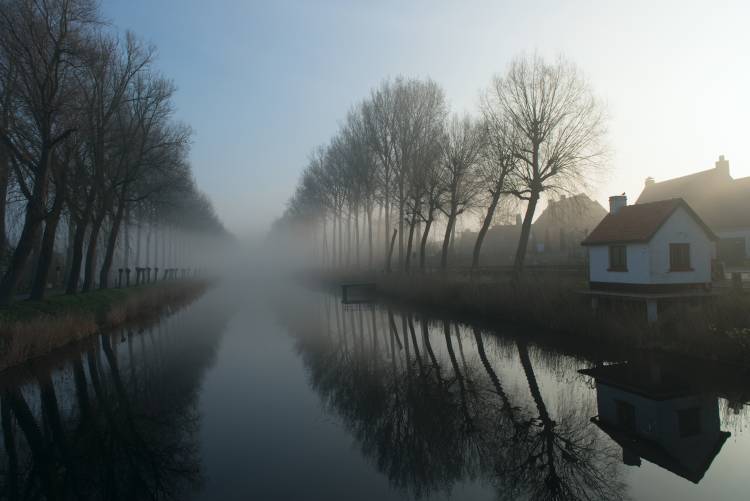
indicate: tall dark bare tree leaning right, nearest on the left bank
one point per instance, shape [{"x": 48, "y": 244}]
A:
[{"x": 42, "y": 39}]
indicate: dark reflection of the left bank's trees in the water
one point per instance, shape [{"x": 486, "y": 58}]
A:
[{"x": 118, "y": 421}]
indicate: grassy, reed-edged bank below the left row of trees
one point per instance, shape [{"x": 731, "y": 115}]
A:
[{"x": 30, "y": 329}]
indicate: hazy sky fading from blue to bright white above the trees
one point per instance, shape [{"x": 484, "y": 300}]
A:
[{"x": 263, "y": 83}]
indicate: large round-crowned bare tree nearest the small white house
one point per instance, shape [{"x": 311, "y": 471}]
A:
[{"x": 558, "y": 127}]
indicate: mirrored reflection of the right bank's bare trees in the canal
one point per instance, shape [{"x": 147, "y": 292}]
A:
[{"x": 448, "y": 406}]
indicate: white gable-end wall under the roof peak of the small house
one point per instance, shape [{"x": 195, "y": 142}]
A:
[{"x": 681, "y": 228}]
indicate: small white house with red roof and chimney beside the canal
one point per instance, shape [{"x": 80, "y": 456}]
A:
[{"x": 660, "y": 246}]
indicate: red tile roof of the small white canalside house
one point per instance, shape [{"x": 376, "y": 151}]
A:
[{"x": 638, "y": 223}]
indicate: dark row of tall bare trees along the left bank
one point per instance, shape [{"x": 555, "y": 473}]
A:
[{"x": 89, "y": 147}]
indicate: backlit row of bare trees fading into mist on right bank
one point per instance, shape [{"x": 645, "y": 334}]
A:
[{"x": 401, "y": 163}]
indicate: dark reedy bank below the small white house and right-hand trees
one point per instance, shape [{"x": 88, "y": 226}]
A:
[{"x": 717, "y": 329}]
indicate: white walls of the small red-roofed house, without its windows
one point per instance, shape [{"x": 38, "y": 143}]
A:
[{"x": 649, "y": 263}]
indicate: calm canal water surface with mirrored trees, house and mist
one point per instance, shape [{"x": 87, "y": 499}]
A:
[{"x": 288, "y": 394}]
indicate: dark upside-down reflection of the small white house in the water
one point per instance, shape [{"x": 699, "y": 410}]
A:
[{"x": 654, "y": 413}]
